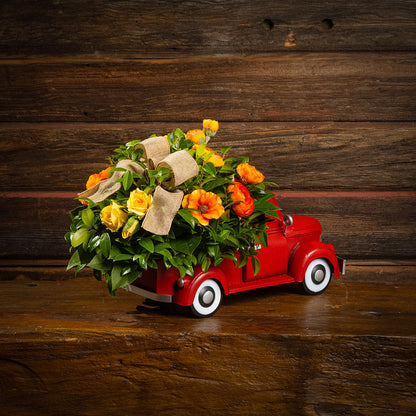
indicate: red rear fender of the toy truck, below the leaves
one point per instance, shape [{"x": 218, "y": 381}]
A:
[{"x": 185, "y": 296}]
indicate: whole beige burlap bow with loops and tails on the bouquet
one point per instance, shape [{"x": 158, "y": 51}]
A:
[{"x": 166, "y": 203}]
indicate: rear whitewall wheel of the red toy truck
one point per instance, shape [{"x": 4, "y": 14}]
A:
[{"x": 207, "y": 299}]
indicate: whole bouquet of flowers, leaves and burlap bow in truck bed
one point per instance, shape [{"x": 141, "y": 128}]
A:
[{"x": 169, "y": 199}]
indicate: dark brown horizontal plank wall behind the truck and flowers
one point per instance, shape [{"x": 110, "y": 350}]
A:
[{"x": 320, "y": 95}]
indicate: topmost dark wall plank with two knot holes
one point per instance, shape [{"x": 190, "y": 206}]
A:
[{"x": 103, "y": 29}]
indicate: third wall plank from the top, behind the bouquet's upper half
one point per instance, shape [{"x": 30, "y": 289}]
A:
[{"x": 297, "y": 156}]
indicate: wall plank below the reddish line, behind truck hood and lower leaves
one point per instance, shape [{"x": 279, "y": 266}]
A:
[{"x": 358, "y": 227}]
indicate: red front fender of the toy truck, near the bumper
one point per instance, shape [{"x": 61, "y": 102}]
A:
[{"x": 308, "y": 251}]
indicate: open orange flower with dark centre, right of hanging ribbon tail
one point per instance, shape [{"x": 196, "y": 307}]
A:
[{"x": 208, "y": 204}]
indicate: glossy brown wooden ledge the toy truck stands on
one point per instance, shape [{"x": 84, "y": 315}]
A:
[{"x": 69, "y": 345}]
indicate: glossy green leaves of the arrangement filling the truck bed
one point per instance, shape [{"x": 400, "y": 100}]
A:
[{"x": 120, "y": 260}]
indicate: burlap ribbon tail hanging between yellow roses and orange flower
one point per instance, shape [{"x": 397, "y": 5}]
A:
[{"x": 159, "y": 217}]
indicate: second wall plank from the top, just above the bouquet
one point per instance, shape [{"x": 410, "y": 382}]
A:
[{"x": 285, "y": 87}]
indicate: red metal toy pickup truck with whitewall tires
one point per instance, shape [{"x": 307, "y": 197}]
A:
[{"x": 294, "y": 253}]
